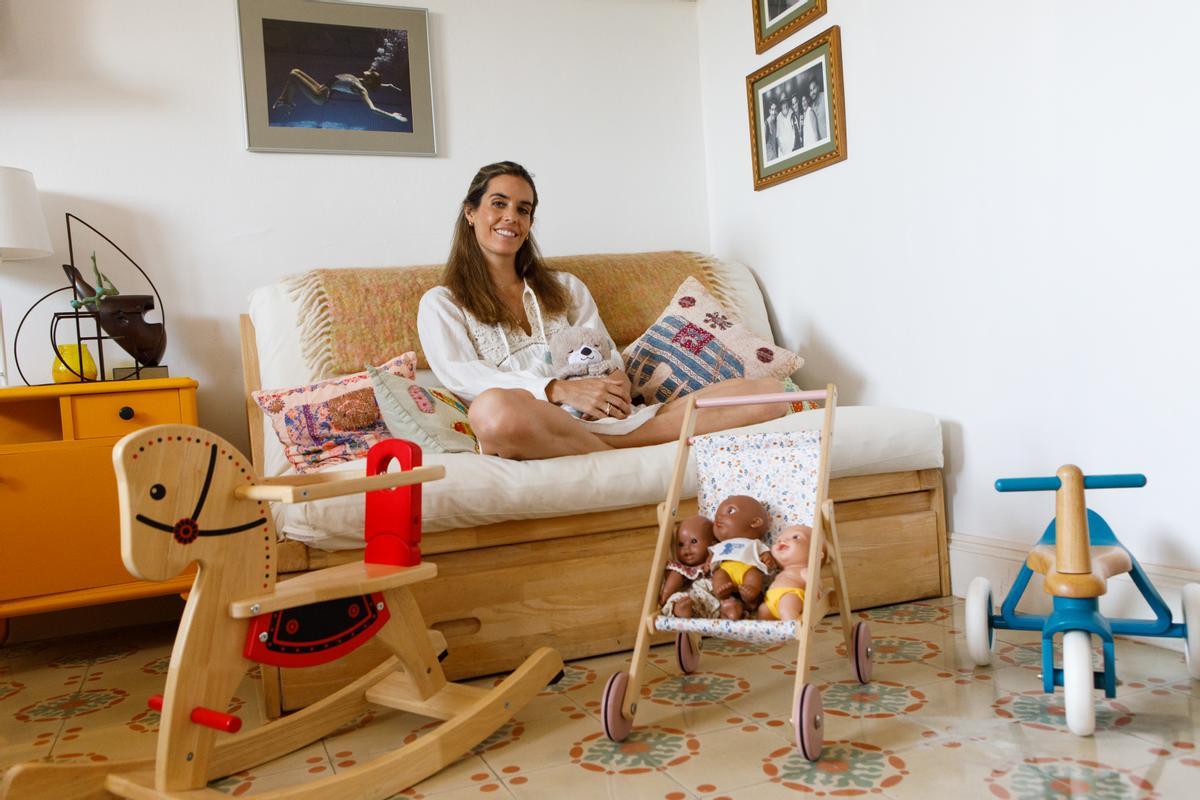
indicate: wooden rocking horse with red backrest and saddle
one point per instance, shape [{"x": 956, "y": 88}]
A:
[{"x": 188, "y": 496}]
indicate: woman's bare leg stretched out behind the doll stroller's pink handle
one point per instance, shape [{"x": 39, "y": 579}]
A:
[{"x": 665, "y": 425}]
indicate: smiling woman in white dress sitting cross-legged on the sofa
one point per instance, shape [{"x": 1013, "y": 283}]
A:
[{"x": 485, "y": 335}]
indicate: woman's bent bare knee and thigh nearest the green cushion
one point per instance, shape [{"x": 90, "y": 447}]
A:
[{"x": 514, "y": 424}]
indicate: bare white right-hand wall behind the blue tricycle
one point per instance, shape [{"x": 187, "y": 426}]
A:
[{"x": 1011, "y": 244}]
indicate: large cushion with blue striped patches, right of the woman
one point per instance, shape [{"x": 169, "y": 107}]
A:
[{"x": 697, "y": 344}]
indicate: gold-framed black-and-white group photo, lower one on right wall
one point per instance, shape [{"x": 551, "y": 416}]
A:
[{"x": 797, "y": 112}]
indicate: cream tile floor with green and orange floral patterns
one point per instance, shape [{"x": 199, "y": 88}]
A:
[{"x": 929, "y": 725}]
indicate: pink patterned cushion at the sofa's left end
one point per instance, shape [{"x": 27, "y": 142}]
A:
[{"x": 331, "y": 422}]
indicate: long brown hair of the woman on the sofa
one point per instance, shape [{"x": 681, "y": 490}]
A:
[{"x": 467, "y": 275}]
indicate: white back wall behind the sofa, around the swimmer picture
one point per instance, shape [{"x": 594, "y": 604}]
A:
[{"x": 130, "y": 115}]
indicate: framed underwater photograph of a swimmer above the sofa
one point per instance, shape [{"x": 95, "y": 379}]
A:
[{"x": 337, "y": 77}]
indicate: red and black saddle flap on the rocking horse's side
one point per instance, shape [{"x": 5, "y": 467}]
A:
[{"x": 316, "y": 634}]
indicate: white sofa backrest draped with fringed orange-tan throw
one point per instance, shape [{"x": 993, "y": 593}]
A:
[{"x": 283, "y": 316}]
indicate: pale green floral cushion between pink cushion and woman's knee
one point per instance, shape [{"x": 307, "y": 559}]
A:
[{"x": 429, "y": 416}]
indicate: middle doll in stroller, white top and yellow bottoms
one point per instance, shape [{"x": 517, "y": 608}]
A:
[{"x": 740, "y": 561}]
